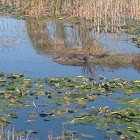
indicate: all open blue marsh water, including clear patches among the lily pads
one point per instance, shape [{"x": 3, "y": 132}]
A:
[{"x": 27, "y": 46}]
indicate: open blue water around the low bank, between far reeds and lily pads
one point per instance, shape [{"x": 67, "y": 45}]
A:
[{"x": 25, "y": 46}]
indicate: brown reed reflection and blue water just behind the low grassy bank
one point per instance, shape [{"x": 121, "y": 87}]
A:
[{"x": 60, "y": 34}]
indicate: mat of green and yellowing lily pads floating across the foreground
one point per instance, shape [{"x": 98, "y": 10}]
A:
[{"x": 68, "y": 98}]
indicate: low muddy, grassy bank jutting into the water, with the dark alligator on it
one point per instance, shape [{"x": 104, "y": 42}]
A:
[{"x": 114, "y": 61}]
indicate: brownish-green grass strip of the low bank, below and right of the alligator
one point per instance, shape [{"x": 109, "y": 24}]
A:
[{"x": 114, "y": 61}]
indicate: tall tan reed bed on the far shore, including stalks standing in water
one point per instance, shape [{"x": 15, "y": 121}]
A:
[{"x": 111, "y": 15}]
